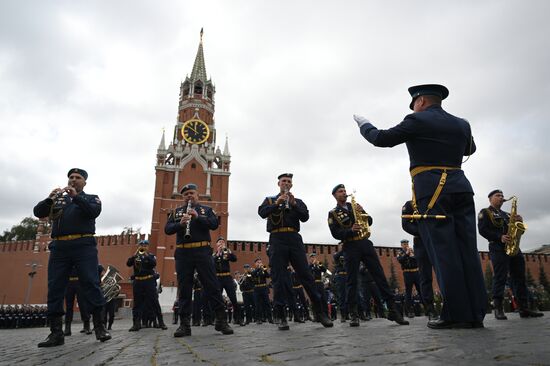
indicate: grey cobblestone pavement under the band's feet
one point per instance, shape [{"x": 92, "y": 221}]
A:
[{"x": 378, "y": 342}]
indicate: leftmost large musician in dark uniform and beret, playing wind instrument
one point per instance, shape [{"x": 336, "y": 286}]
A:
[{"x": 72, "y": 214}]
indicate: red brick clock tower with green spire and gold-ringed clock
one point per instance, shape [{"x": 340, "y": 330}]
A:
[{"x": 191, "y": 157}]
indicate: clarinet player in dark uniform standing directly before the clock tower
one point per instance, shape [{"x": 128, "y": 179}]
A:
[{"x": 192, "y": 224}]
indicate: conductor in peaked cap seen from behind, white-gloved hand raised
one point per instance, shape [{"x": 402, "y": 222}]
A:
[{"x": 436, "y": 142}]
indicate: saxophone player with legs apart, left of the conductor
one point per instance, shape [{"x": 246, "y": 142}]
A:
[{"x": 343, "y": 226}]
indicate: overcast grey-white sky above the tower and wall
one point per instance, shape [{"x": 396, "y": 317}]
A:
[{"x": 91, "y": 84}]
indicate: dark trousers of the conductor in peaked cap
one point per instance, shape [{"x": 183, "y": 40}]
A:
[{"x": 451, "y": 245}]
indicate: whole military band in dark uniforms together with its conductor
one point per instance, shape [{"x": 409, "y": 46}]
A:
[{"x": 440, "y": 216}]
